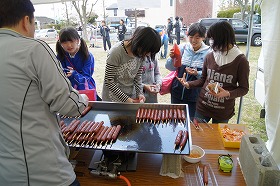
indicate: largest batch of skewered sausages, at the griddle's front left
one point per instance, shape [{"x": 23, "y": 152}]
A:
[{"x": 89, "y": 133}]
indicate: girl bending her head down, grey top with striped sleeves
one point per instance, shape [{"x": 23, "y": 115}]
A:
[{"x": 124, "y": 66}]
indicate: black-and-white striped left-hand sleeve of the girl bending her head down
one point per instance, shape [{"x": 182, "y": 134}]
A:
[{"x": 109, "y": 81}]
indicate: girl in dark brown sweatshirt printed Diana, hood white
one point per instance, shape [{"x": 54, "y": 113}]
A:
[{"x": 224, "y": 76}]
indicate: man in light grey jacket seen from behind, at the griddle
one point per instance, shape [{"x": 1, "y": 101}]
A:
[{"x": 34, "y": 89}]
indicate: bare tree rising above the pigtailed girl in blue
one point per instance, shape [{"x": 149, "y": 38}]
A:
[{"x": 83, "y": 14}]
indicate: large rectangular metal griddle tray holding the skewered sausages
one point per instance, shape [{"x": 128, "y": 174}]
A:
[{"x": 143, "y": 137}]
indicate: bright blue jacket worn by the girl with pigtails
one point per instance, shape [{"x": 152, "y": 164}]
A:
[{"x": 81, "y": 78}]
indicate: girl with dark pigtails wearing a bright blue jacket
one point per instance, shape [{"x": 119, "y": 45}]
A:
[{"x": 76, "y": 60}]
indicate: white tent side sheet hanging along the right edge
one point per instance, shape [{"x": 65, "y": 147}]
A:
[{"x": 271, "y": 55}]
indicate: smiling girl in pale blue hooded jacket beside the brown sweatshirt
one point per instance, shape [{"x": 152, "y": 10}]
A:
[{"x": 193, "y": 55}]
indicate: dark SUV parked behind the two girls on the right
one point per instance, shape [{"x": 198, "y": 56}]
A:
[{"x": 240, "y": 28}]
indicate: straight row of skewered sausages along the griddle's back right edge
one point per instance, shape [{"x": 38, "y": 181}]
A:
[{"x": 160, "y": 115}]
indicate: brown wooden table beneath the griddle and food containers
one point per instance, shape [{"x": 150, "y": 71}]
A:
[{"x": 148, "y": 168}]
